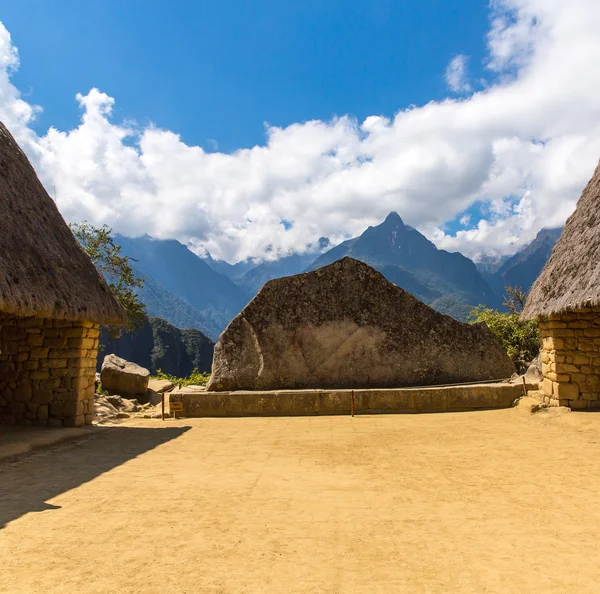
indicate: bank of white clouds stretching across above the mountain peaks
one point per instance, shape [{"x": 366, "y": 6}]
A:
[{"x": 524, "y": 147}]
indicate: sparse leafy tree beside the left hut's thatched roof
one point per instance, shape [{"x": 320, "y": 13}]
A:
[{"x": 116, "y": 269}]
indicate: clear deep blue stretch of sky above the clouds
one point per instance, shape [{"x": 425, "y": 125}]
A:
[{"x": 219, "y": 70}]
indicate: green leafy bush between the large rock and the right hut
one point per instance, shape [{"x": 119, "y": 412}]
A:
[{"x": 520, "y": 339}]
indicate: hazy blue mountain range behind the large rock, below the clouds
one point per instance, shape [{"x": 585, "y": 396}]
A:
[{"x": 203, "y": 293}]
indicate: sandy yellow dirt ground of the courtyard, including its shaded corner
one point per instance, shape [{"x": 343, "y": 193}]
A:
[{"x": 496, "y": 501}]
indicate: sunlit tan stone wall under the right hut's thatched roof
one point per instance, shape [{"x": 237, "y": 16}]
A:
[{"x": 571, "y": 359}]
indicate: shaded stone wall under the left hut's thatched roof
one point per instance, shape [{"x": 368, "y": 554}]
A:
[{"x": 47, "y": 371}]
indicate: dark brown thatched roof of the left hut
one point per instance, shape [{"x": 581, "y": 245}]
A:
[{"x": 43, "y": 270}]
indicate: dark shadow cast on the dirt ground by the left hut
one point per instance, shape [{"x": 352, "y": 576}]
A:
[{"x": 63, "y": 467}]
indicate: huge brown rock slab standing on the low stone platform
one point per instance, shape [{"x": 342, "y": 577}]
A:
[{"x": 346, "y": 326}]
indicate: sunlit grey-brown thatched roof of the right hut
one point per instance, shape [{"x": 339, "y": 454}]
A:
[{"x": 571, "y": 278}]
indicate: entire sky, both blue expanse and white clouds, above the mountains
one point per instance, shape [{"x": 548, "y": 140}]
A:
[{"x": 478, "y": 122}]
